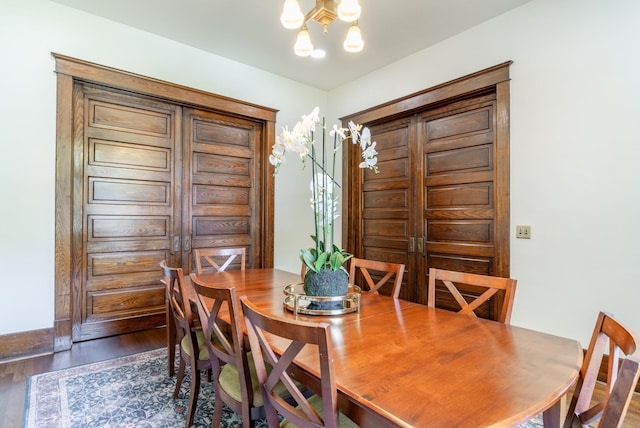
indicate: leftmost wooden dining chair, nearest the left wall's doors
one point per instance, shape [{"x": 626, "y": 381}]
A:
[{"x": 193, "y": 353}]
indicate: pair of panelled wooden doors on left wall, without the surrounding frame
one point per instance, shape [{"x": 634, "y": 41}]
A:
[{"x": 154, "y": 180}]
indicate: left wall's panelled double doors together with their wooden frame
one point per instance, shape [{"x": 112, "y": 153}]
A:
[{"x": 145, "y": 170}]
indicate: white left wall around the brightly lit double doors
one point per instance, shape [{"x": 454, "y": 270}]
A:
[{"x": 29, "y": 31}]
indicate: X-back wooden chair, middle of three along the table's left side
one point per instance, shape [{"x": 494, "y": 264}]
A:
[{"x": 234, "y": 374}]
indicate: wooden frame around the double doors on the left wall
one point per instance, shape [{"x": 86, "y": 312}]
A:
[{"x": 71, "y": 70}]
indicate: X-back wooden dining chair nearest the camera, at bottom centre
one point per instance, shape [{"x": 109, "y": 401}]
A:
[{"x": 299, "y": 409}]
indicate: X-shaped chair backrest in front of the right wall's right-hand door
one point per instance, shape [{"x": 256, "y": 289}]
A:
[{"x": 488, "y": 286}]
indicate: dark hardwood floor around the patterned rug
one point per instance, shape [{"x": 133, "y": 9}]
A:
[{"x": 14, "y": 374}]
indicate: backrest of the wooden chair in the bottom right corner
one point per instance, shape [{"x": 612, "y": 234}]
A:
[{"x": 621, "y": 377}]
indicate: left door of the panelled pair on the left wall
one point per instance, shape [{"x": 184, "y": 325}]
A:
[{"x": 126, "y": 210}]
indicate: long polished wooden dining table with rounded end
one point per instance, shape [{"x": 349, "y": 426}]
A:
[{"x": 401, "y": 363}]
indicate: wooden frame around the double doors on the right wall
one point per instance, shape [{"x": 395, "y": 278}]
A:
[{"x": 494, "y": 78}]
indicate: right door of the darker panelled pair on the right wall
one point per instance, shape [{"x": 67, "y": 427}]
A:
[{"x": 460, "y": 193}]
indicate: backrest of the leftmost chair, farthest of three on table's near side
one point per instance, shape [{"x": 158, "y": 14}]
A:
[{"x": 178, "y": 298}]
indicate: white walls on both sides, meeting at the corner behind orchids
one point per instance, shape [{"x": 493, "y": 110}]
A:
[{"x": 574, "y": 95}]
